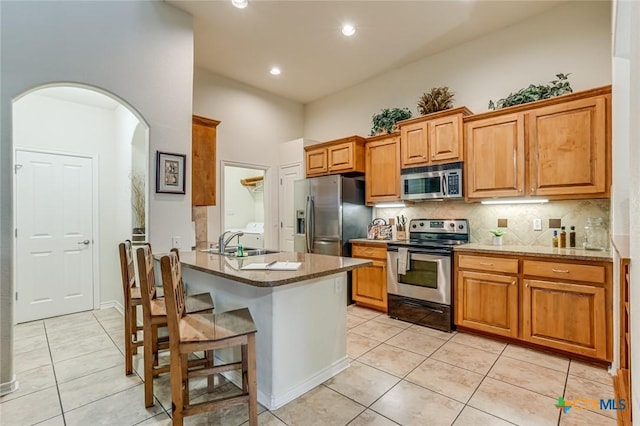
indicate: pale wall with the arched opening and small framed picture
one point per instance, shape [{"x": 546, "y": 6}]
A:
[{"x": 140, "y": 51}]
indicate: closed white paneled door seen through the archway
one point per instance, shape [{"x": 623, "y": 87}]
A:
[{"x": 54, "y": 243}]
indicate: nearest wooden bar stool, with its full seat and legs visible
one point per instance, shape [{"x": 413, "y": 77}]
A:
[{"x": 197, "y": 332}]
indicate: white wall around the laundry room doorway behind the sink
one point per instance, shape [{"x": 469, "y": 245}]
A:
[{"x": 252, "y": 124}]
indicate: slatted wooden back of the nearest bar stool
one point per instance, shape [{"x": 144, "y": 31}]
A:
[{"x": 173, "y": 293}]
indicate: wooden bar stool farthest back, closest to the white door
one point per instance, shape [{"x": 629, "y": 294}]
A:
[{"x": 131, "y": 300}]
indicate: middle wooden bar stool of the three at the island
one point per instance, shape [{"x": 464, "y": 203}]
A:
[{"x": 154, "y": 315}]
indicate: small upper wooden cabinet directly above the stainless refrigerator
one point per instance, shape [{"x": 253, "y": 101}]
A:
[{"x": 341, "y": 156}]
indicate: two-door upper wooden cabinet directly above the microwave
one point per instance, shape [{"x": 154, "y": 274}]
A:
[{"x": 433, "y": 138}]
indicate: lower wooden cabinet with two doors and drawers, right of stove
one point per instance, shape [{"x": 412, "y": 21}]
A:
[{"x": 563, "y": 305}]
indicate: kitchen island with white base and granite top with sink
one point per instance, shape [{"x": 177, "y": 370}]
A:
[{"x": 300, "y": 315}]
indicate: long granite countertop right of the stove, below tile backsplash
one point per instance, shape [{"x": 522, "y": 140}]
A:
[{"x": 539, "y": 251}]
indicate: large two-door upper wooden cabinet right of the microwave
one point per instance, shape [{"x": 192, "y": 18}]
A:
[{"x": 558, "y": 148}]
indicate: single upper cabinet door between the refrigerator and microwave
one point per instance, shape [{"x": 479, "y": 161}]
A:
[{"x": 382, "y": 170}]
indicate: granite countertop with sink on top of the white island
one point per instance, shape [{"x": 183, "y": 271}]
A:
[{"x": 313, "y": 266}]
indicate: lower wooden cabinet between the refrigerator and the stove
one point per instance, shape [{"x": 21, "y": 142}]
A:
[{"x": 369, "y": 284}]
